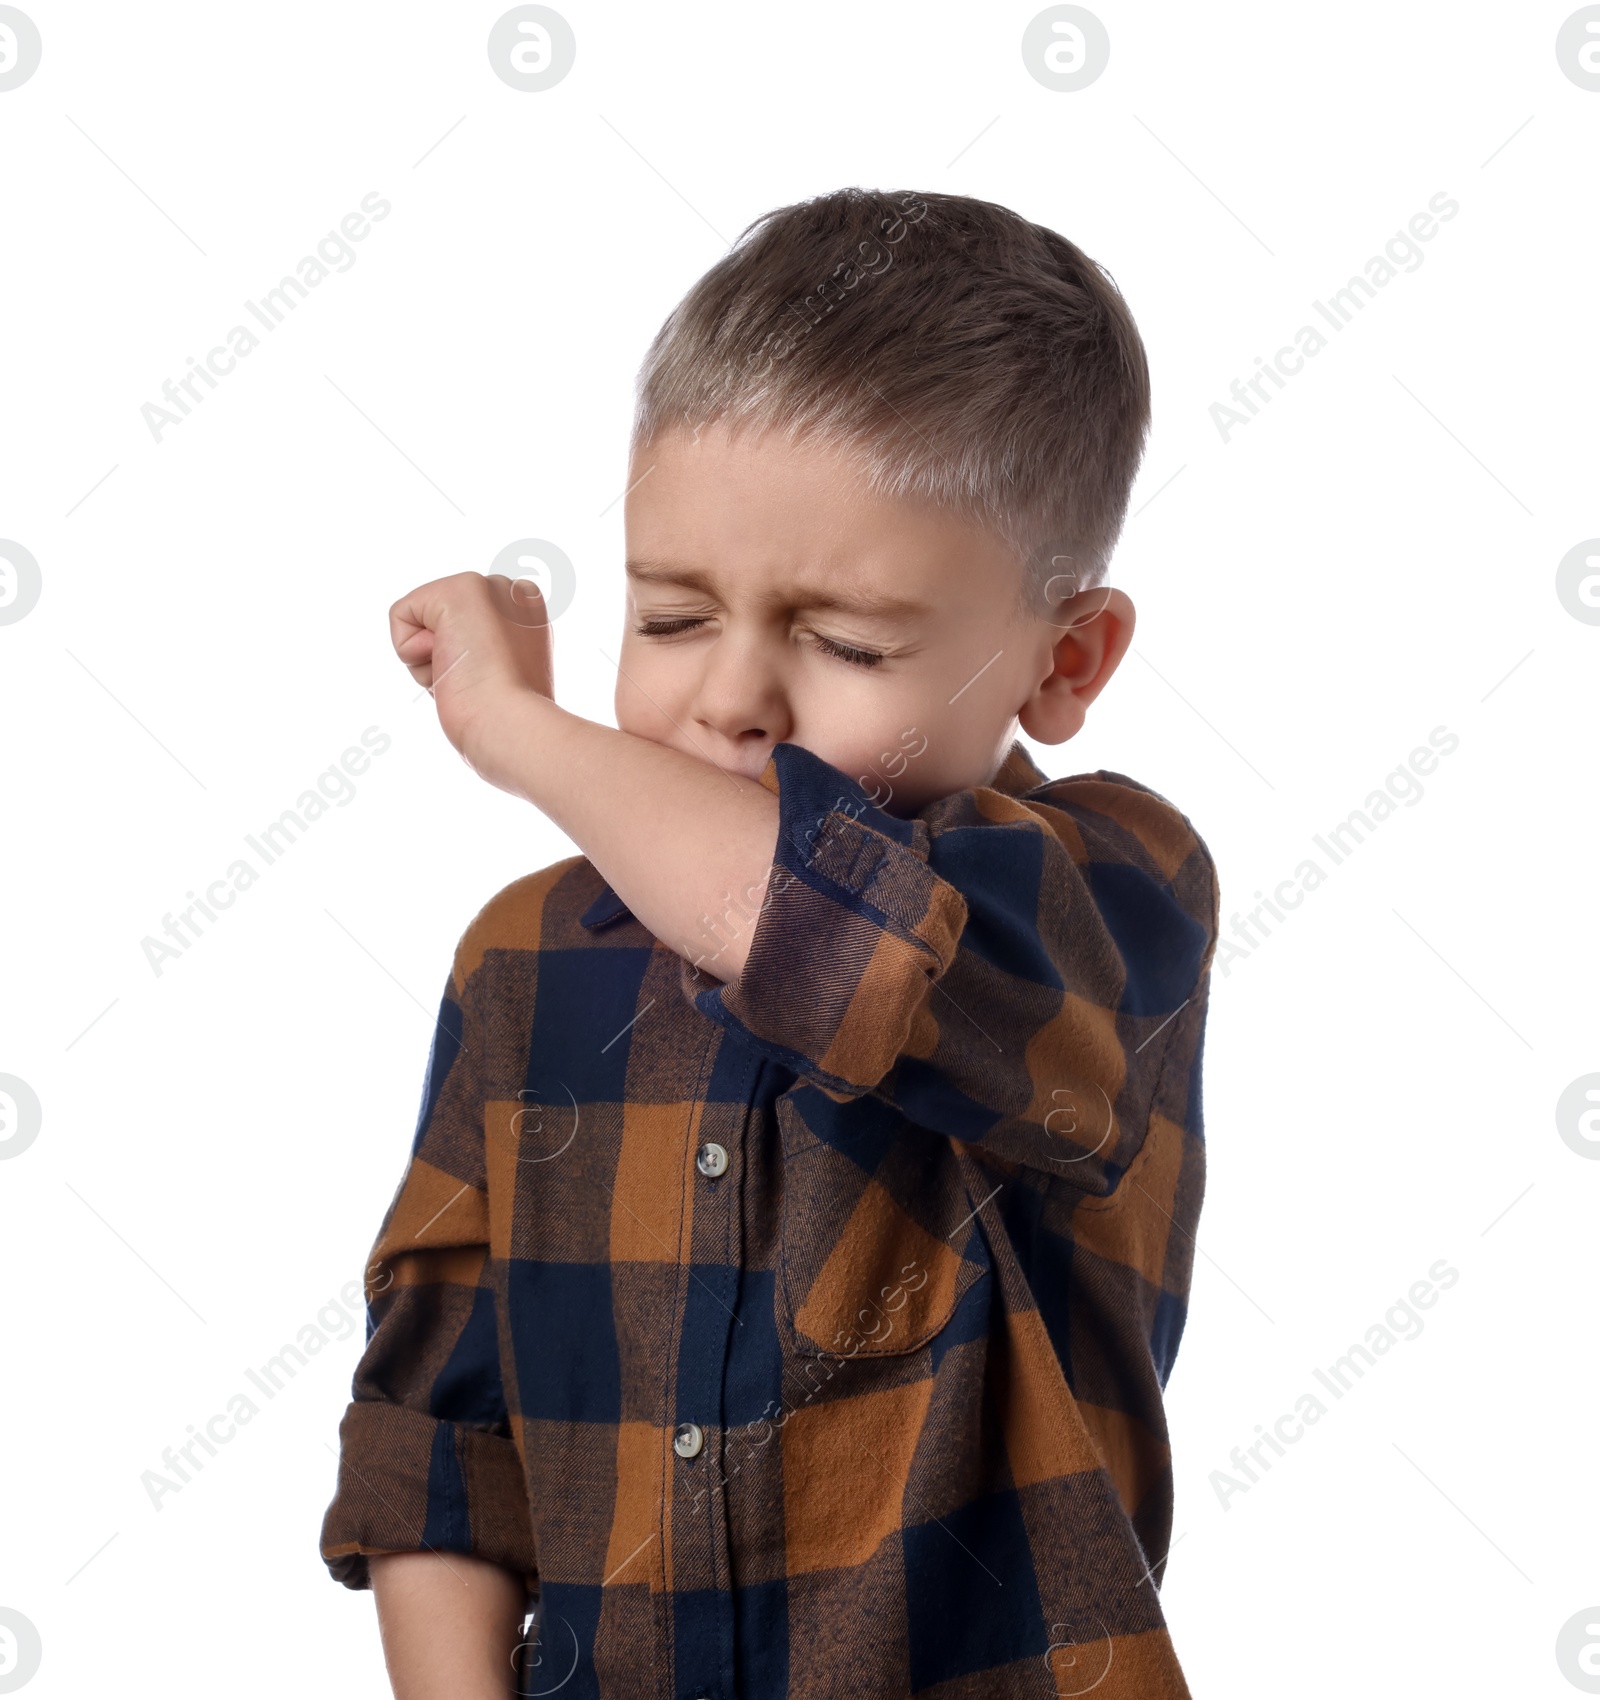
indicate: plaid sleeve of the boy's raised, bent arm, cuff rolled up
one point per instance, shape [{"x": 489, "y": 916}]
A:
[{"x": 1006, "y": 970}]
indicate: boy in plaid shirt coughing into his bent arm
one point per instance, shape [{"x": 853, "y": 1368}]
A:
[{"x": 800, "y": 1221}]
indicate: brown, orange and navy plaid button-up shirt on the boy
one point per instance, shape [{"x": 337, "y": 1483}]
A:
[{"x": 809, "y": 1335}]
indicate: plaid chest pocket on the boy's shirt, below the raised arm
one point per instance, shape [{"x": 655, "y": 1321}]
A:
[{"x": 880, "y": 1235}]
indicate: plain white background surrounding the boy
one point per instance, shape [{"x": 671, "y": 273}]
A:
[{"x": 1370, "y": 558}]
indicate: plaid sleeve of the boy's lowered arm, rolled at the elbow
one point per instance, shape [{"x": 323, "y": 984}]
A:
[{"x": 428, "y": 1461}]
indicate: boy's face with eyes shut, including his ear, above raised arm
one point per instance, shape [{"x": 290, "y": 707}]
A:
[{"x": 771, "y": 599}]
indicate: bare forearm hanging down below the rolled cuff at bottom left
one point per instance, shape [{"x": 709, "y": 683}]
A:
[{"x": 450, "y": 1624}]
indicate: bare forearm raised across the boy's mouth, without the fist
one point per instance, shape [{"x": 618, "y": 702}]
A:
[{"x": 686, "y": 846}]
